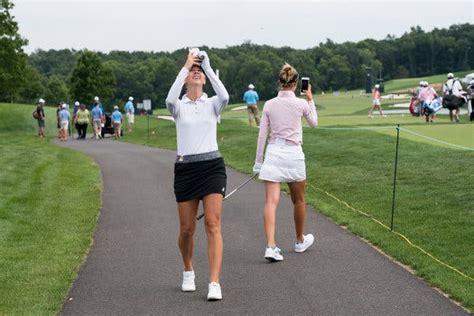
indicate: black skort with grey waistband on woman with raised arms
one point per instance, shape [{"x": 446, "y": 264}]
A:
[{"x": 195, "y": 180}]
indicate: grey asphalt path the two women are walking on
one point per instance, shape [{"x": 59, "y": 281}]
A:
[{"x": 134, "y": 266}]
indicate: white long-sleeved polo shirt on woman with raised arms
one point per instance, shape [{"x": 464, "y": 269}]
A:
[{"x": 196, "y": 121}]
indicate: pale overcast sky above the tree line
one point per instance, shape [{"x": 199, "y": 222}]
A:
[{"x": 158, "y": 25}]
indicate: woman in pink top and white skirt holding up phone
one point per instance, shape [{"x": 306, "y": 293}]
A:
[{"x": 284, "y": 158}]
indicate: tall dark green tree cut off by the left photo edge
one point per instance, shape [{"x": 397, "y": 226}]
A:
[{"x": 12, "y": 57}]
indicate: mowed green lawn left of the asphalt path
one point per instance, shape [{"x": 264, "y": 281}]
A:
[{"x": 49, "y": 205}]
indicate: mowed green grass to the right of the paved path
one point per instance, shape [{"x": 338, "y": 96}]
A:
[{"x": 434, "y": 201}]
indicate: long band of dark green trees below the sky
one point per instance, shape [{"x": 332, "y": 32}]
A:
[{"x": 68, "y": 75}]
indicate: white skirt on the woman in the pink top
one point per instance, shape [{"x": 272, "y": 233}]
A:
[{"x": 283, "y": 163}]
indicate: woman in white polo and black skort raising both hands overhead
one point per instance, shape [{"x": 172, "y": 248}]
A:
[{"x": 199, "y": 168}]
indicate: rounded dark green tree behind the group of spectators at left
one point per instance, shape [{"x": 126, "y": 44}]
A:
[{"x": 91, "y": 77}]
